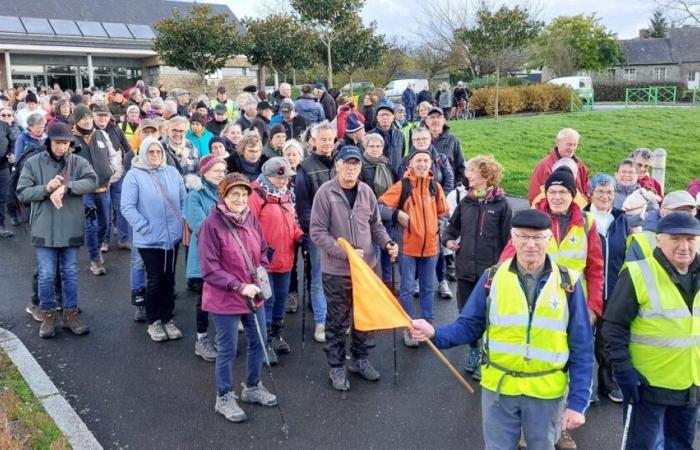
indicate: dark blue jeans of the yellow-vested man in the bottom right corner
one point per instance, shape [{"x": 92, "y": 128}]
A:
[{"x": 656, "y": 426}]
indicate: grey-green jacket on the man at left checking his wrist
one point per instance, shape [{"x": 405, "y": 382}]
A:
[{"x": 53, "y": 227}]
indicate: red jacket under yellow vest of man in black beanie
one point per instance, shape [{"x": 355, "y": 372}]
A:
[{"x": 594, "y": 258}]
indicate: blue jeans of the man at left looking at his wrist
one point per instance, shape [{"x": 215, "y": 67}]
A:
[{"x": 67, "y": 260}]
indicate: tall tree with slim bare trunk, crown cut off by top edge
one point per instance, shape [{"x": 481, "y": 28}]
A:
[{"x": 329, "y": 18}]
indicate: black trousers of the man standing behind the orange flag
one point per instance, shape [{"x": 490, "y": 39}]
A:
[{"x": 338, "y": 291}]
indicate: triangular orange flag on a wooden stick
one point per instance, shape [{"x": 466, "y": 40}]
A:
[{"x": 374, "y": 306}]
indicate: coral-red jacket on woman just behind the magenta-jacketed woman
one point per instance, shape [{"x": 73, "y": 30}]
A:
[{"x": 280, "y": 229}]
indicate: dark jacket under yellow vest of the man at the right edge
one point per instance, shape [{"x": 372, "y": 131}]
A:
[{"x": 621, "y": 309}]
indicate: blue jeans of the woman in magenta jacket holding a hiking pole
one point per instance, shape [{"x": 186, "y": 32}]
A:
[{"x": 227, "y": 346}]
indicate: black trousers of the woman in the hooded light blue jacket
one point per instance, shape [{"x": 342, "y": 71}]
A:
[{"x": 160, "y": 283}]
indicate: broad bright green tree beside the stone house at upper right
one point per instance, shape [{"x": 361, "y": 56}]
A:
[{"x": 592, "y": 46}]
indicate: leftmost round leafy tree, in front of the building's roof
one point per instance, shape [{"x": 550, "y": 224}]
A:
[{"x": 198, "y": 42}]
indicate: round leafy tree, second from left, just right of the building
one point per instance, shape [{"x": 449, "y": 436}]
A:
[{"x": 279, "y": 42}]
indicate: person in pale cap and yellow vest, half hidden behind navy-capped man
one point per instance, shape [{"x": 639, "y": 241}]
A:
[{"x": 641, "y": 245}]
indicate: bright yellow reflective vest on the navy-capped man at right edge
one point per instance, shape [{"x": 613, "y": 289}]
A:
[{"x": 665, "y": 335}]
